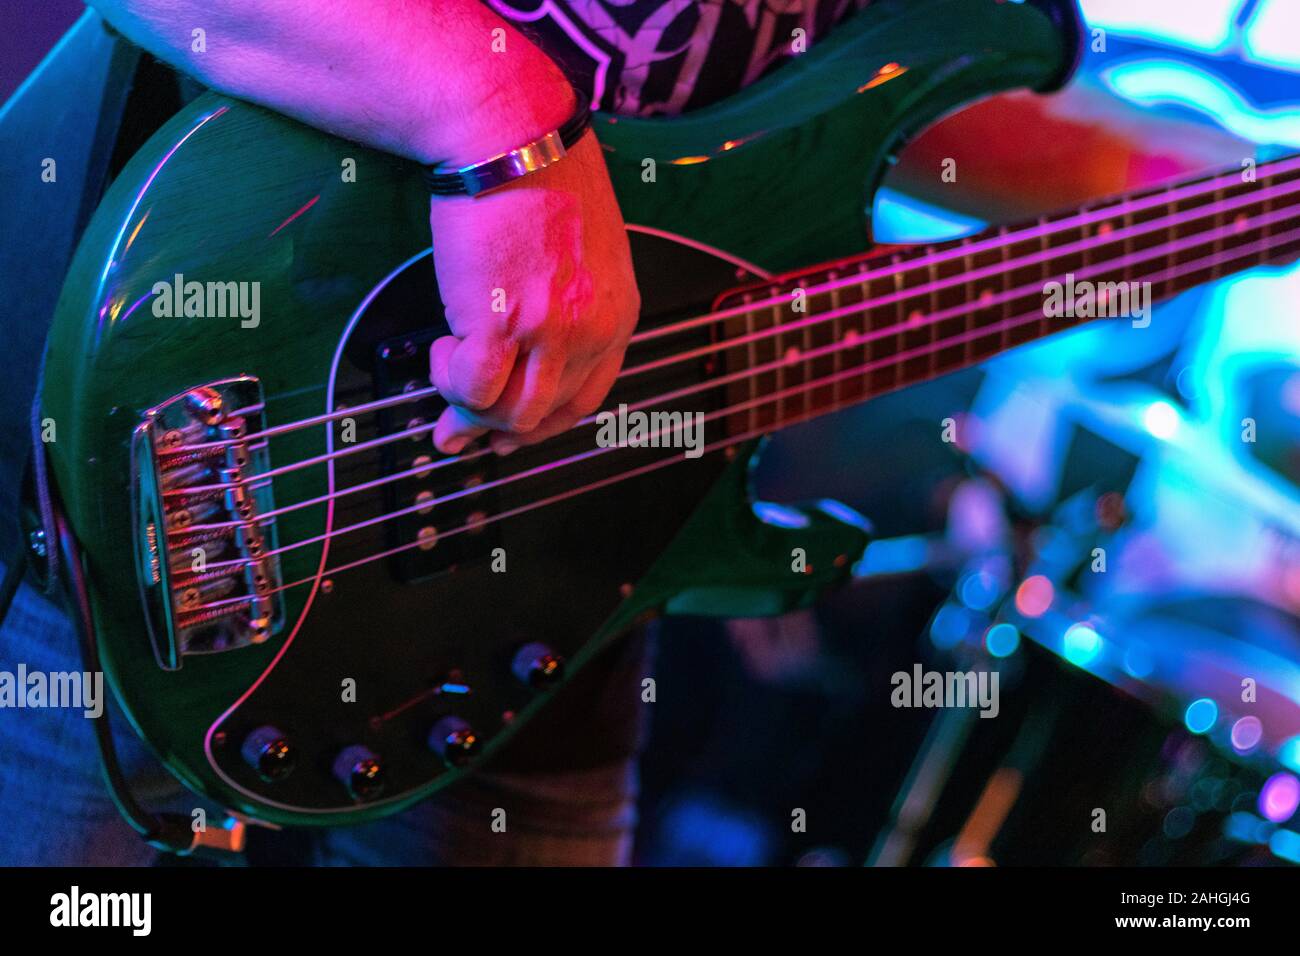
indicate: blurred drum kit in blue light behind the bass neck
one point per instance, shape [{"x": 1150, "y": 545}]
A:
[{"x": 1126, "y": 550}]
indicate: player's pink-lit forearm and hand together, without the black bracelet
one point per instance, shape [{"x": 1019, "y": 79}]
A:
[{"x": 449, "y": 83}]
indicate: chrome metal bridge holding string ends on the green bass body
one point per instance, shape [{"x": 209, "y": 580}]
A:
[{"x": 210, "y": 579}]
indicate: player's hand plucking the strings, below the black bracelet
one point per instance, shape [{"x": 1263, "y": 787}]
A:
[{"x": 538, "y": 284}]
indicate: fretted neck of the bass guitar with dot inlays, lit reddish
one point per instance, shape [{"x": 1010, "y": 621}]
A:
[{"x": 843, "y": 334}]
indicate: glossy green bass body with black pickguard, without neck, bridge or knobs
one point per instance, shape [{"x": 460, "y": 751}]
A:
[{"x": 777, "y": 178}]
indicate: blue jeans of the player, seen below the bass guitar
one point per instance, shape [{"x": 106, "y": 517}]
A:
[{"x": 55, "y": 810}]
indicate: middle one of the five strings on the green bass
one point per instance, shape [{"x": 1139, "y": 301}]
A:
[{"x": 860, "y": 340}]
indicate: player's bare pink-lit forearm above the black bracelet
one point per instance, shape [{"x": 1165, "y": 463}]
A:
[{"x": 419, "y": 79}]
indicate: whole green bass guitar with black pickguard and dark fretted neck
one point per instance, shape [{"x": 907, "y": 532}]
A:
[{"x": 315, "y": 618}]
